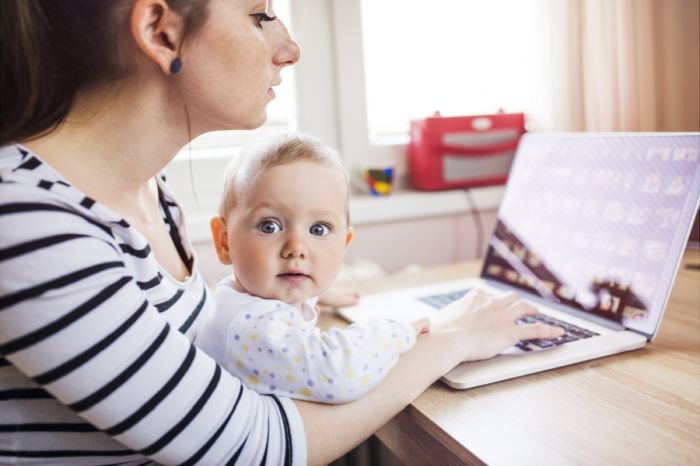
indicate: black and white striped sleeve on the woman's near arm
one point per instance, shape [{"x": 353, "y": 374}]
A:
[{"x": 76, "y": 323}]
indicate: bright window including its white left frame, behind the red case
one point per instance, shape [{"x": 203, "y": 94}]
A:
[{"x": 398, "y": 60}]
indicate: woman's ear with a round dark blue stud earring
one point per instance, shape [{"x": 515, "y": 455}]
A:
[{"x": 158, "y": 31}]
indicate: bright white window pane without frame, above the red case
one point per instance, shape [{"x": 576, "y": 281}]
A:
[{"x": 456, "y": 56}]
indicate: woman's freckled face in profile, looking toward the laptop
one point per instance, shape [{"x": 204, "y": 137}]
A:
[{"x": 231, "y": 65}]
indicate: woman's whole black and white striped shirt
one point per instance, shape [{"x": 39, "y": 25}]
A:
[{"x": 97, "y": 364}]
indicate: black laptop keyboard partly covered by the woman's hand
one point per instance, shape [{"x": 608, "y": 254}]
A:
[{"x": 571, "y": 331}]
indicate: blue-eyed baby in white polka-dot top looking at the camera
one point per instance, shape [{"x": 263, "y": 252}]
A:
[{"x": 284, "y": 227}]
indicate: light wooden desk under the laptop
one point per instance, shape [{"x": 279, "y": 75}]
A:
[{"x": 640, "y": 407}]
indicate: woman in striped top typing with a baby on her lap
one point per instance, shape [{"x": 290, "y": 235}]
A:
[{"x": 100, "y": 296}]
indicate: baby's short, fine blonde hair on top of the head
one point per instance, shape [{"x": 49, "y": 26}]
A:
[{"x": 272, "y": 152}]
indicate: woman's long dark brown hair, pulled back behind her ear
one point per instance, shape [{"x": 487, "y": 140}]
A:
[{"x": 50, "y": 50}]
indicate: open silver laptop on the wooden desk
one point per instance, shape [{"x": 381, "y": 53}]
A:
[{"x": 591, "y": 231}]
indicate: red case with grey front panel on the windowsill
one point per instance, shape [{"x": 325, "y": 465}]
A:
[{"x": 462, "y": 152}]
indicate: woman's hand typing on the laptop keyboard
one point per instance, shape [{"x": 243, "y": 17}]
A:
[{"x": 483, "y": 325}]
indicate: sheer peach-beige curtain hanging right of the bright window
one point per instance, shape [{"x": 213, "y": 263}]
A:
[{"x": 626, "y": 65}]
